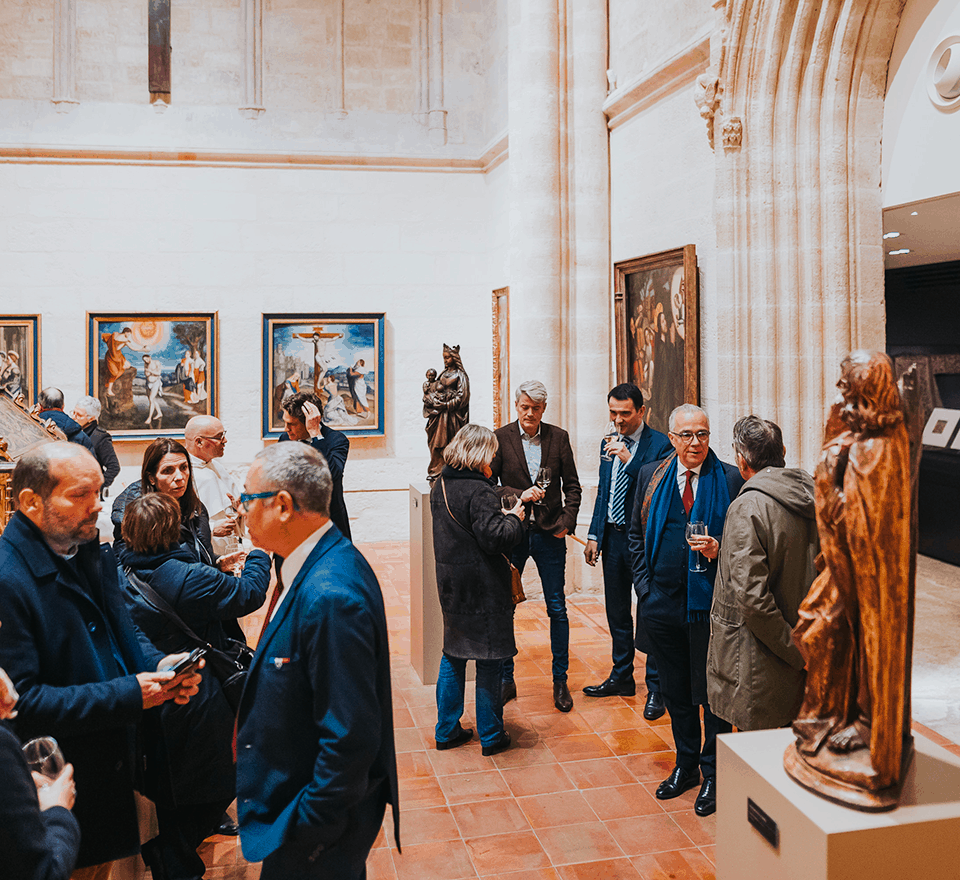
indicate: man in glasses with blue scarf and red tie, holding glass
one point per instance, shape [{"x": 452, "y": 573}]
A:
[{"x": 689, "y": 486}]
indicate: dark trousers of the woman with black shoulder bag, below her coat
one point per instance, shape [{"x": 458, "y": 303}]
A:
[{"x": 172, "y": 854}]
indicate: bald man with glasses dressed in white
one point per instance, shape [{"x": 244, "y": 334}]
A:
[{"x": 206, "y": 440}]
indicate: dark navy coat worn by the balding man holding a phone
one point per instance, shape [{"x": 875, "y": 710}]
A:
[{"x": 60, "y": 645}]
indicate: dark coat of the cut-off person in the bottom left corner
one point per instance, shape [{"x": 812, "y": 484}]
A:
[{"x": 35, "y": 845}]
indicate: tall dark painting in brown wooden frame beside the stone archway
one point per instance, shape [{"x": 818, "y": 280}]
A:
[{"x": 656, "y": 308}]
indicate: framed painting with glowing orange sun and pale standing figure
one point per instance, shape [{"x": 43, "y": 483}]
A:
[{"x": 152, "y": 371}]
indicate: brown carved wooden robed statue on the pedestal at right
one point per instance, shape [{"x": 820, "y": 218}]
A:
[{"x": 856, "y": 624}]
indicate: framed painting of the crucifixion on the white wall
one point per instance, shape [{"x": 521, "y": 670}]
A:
[{"x": 337, "y": 357}]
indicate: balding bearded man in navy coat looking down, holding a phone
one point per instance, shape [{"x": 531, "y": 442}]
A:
[{"x": 70, "y": 647}]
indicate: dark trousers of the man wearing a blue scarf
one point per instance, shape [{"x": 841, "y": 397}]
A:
[{"x": 678, "y": 646}]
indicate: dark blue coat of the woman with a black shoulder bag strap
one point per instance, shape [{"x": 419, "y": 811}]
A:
[{"x": 199, "y": 735}]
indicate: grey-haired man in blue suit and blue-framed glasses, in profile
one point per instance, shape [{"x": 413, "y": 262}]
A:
[{"x": 316, "y": 763}]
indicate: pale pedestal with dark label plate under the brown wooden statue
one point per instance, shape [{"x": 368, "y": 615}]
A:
[{"x": 819, "y": 839}]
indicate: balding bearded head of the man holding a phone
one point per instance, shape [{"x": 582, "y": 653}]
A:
[{"x": 57, "y": 487}]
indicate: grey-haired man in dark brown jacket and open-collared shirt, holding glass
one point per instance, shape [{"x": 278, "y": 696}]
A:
[{"x": 527, "y": 445}]
